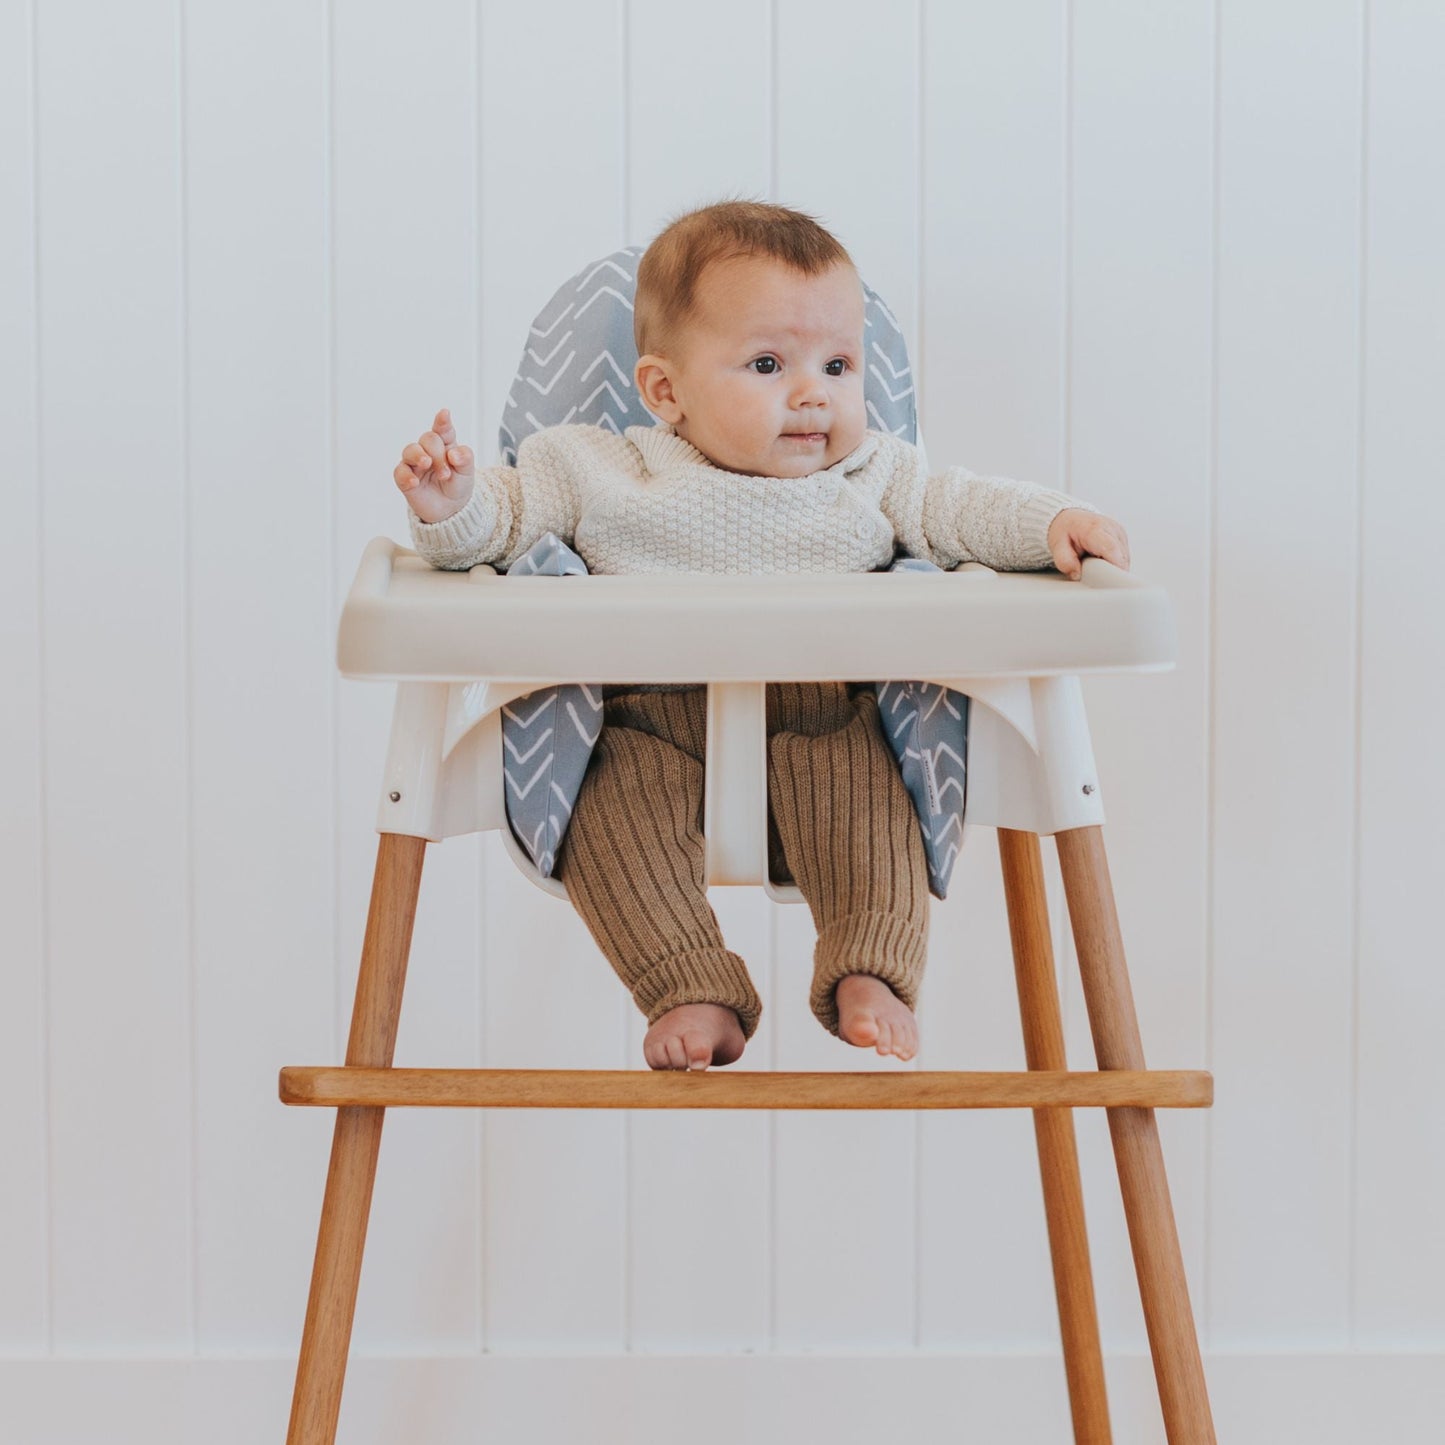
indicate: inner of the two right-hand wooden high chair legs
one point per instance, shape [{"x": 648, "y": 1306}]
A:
[{"x": 1054, "y": 1129}]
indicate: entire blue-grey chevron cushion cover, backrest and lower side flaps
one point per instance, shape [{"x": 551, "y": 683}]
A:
[{"x": 579, "y": 368}]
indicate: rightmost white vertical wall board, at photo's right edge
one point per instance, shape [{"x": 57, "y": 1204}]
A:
[{"x": 1401, "y": 1168}]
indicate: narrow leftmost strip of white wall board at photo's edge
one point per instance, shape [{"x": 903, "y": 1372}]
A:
[{"x": 24, "y": 1204}]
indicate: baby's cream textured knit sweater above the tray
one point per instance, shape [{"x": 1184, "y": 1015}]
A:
[{"x": 651, "y": 502}]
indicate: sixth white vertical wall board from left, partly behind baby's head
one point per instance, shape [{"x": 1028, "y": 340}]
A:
[{"x": 700, "y": 1187}]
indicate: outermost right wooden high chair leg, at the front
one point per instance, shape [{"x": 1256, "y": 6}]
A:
[{"x": 1152, "y": 1235}]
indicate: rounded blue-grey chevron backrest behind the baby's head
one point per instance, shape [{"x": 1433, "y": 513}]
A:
[{"x": 580, "y": 358}]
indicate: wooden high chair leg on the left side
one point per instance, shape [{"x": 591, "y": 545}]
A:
[{"x": 327, "y": 1337}]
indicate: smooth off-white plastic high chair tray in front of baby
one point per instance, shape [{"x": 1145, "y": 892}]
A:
[{"x": 405, "y": 621}]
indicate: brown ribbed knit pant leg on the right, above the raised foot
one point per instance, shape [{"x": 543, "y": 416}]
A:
[{"x": 850, "y": 837}]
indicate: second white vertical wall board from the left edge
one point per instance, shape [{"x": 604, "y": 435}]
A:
[{"x": 118, "y": 745}]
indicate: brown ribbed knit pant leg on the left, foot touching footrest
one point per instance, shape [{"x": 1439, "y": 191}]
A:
[{"x": 632, "y": 860}]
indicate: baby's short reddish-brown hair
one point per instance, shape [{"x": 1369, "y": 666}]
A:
[{"x": 673, "y": 265}]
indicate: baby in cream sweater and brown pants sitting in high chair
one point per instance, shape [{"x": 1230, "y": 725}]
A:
[{"x": 749, "y": 324}]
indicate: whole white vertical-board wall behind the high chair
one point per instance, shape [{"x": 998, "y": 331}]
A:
[{"x": 1181, "y": 259}]
